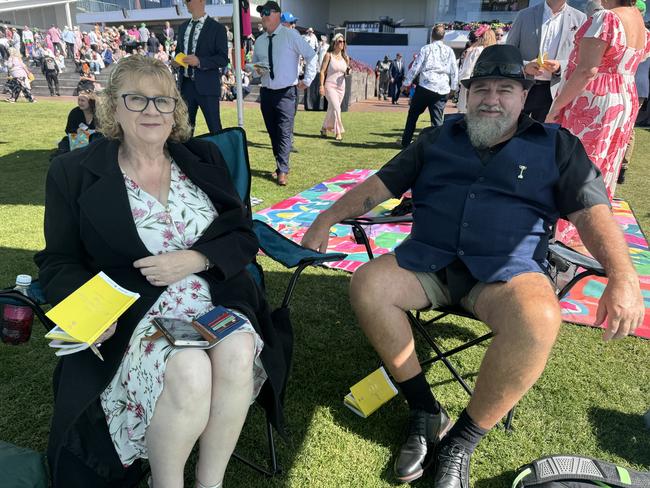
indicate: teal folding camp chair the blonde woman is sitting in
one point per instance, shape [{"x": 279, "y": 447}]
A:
[{"x": 233, "y": 146}]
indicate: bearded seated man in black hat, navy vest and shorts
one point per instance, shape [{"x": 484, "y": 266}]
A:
[{"x": 487, "y": 188}]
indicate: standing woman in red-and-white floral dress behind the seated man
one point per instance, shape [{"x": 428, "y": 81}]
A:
[{"x": 598, "y": 101}]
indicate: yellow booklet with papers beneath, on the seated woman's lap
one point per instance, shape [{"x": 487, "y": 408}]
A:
[{"x": 85, "y": 314}]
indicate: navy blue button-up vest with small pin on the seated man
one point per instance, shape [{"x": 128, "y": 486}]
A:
[{"x": 495, "y": 217}]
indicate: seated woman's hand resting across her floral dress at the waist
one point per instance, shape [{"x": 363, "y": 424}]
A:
[{"x": 165, "y": 269}]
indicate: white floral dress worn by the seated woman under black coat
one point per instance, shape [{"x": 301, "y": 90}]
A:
[{"x": 130, "y": 398}]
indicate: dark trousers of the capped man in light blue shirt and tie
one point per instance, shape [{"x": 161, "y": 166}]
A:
[{"x": 279, "y": 112}]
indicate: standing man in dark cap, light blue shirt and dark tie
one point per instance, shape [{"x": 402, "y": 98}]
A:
[{"x": 276, "y": 56}]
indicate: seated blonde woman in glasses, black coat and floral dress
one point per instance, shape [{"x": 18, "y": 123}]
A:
[{"x": 157, "y": 211}]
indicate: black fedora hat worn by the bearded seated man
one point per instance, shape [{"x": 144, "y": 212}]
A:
[{"x": 499, "y": 61}]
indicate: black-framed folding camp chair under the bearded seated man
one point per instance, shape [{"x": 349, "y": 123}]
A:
[{"x": 563, "y": 262}]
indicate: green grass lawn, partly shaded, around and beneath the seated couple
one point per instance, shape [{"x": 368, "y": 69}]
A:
[{"x": 589, "y": 401}]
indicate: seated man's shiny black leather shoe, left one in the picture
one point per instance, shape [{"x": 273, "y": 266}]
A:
[{"x": 424, "y": 431}]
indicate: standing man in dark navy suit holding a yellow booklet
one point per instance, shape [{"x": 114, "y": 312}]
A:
[{"x": 205, "y": 43}]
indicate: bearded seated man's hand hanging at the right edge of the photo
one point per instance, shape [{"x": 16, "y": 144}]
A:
[{"x": 622, "y": 306}]
